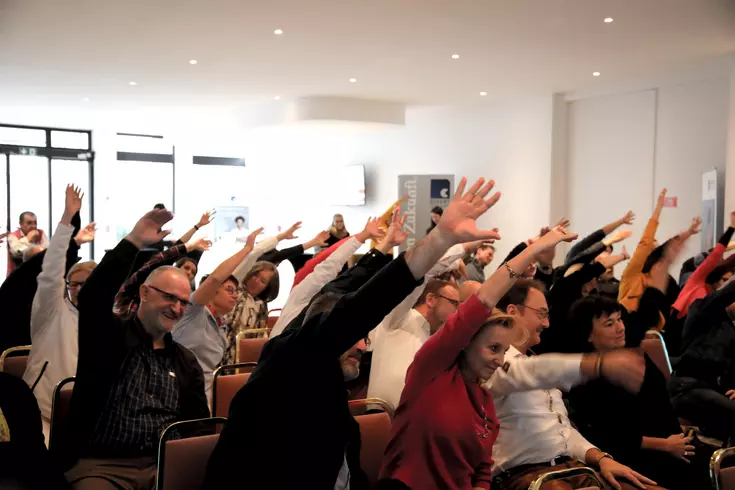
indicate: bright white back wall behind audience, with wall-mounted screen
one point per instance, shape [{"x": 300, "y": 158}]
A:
[{"x": 508, "y": 142}]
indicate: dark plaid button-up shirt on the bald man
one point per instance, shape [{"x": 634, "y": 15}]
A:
[{"x": 142, "y": 403}]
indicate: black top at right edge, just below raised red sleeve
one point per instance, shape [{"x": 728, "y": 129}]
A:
[{"x": 708, "y": 341}]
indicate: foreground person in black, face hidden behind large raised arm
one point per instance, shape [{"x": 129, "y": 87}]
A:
[{"x": 330, "y": 342}]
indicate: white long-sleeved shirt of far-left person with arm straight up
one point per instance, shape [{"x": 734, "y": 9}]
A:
[{"x": 53, "y": 324}]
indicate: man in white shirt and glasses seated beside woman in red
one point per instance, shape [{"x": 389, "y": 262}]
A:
[{"x": 537, "y": 436}]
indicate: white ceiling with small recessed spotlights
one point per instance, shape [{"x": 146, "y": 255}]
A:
[{"x": 61, "y": 51}]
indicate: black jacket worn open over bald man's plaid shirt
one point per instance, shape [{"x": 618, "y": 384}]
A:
[{"x": 104, "y": 343}]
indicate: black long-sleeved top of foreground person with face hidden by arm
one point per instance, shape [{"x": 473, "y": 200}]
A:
[{"x": 290, "y": 426}]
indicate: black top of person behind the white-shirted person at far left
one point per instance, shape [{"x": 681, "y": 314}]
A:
[{"x": 18, "y": 290}]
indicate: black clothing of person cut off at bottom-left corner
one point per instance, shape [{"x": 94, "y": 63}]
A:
[{"x": 25, "y": 458}]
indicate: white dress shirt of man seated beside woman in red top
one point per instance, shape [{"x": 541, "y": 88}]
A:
[{"x": 534, "y": 425}]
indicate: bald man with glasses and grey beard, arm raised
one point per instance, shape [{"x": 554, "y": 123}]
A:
[{"x": 132, "y": 379}]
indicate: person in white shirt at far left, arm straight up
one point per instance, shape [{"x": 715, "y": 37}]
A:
[{"x": 54, "y": 316}]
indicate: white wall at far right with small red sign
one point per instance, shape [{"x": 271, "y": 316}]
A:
[{"x": 623, "y": 149}]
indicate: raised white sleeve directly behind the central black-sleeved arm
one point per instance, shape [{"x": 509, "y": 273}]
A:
[{"x": 324, "y": 273}]
